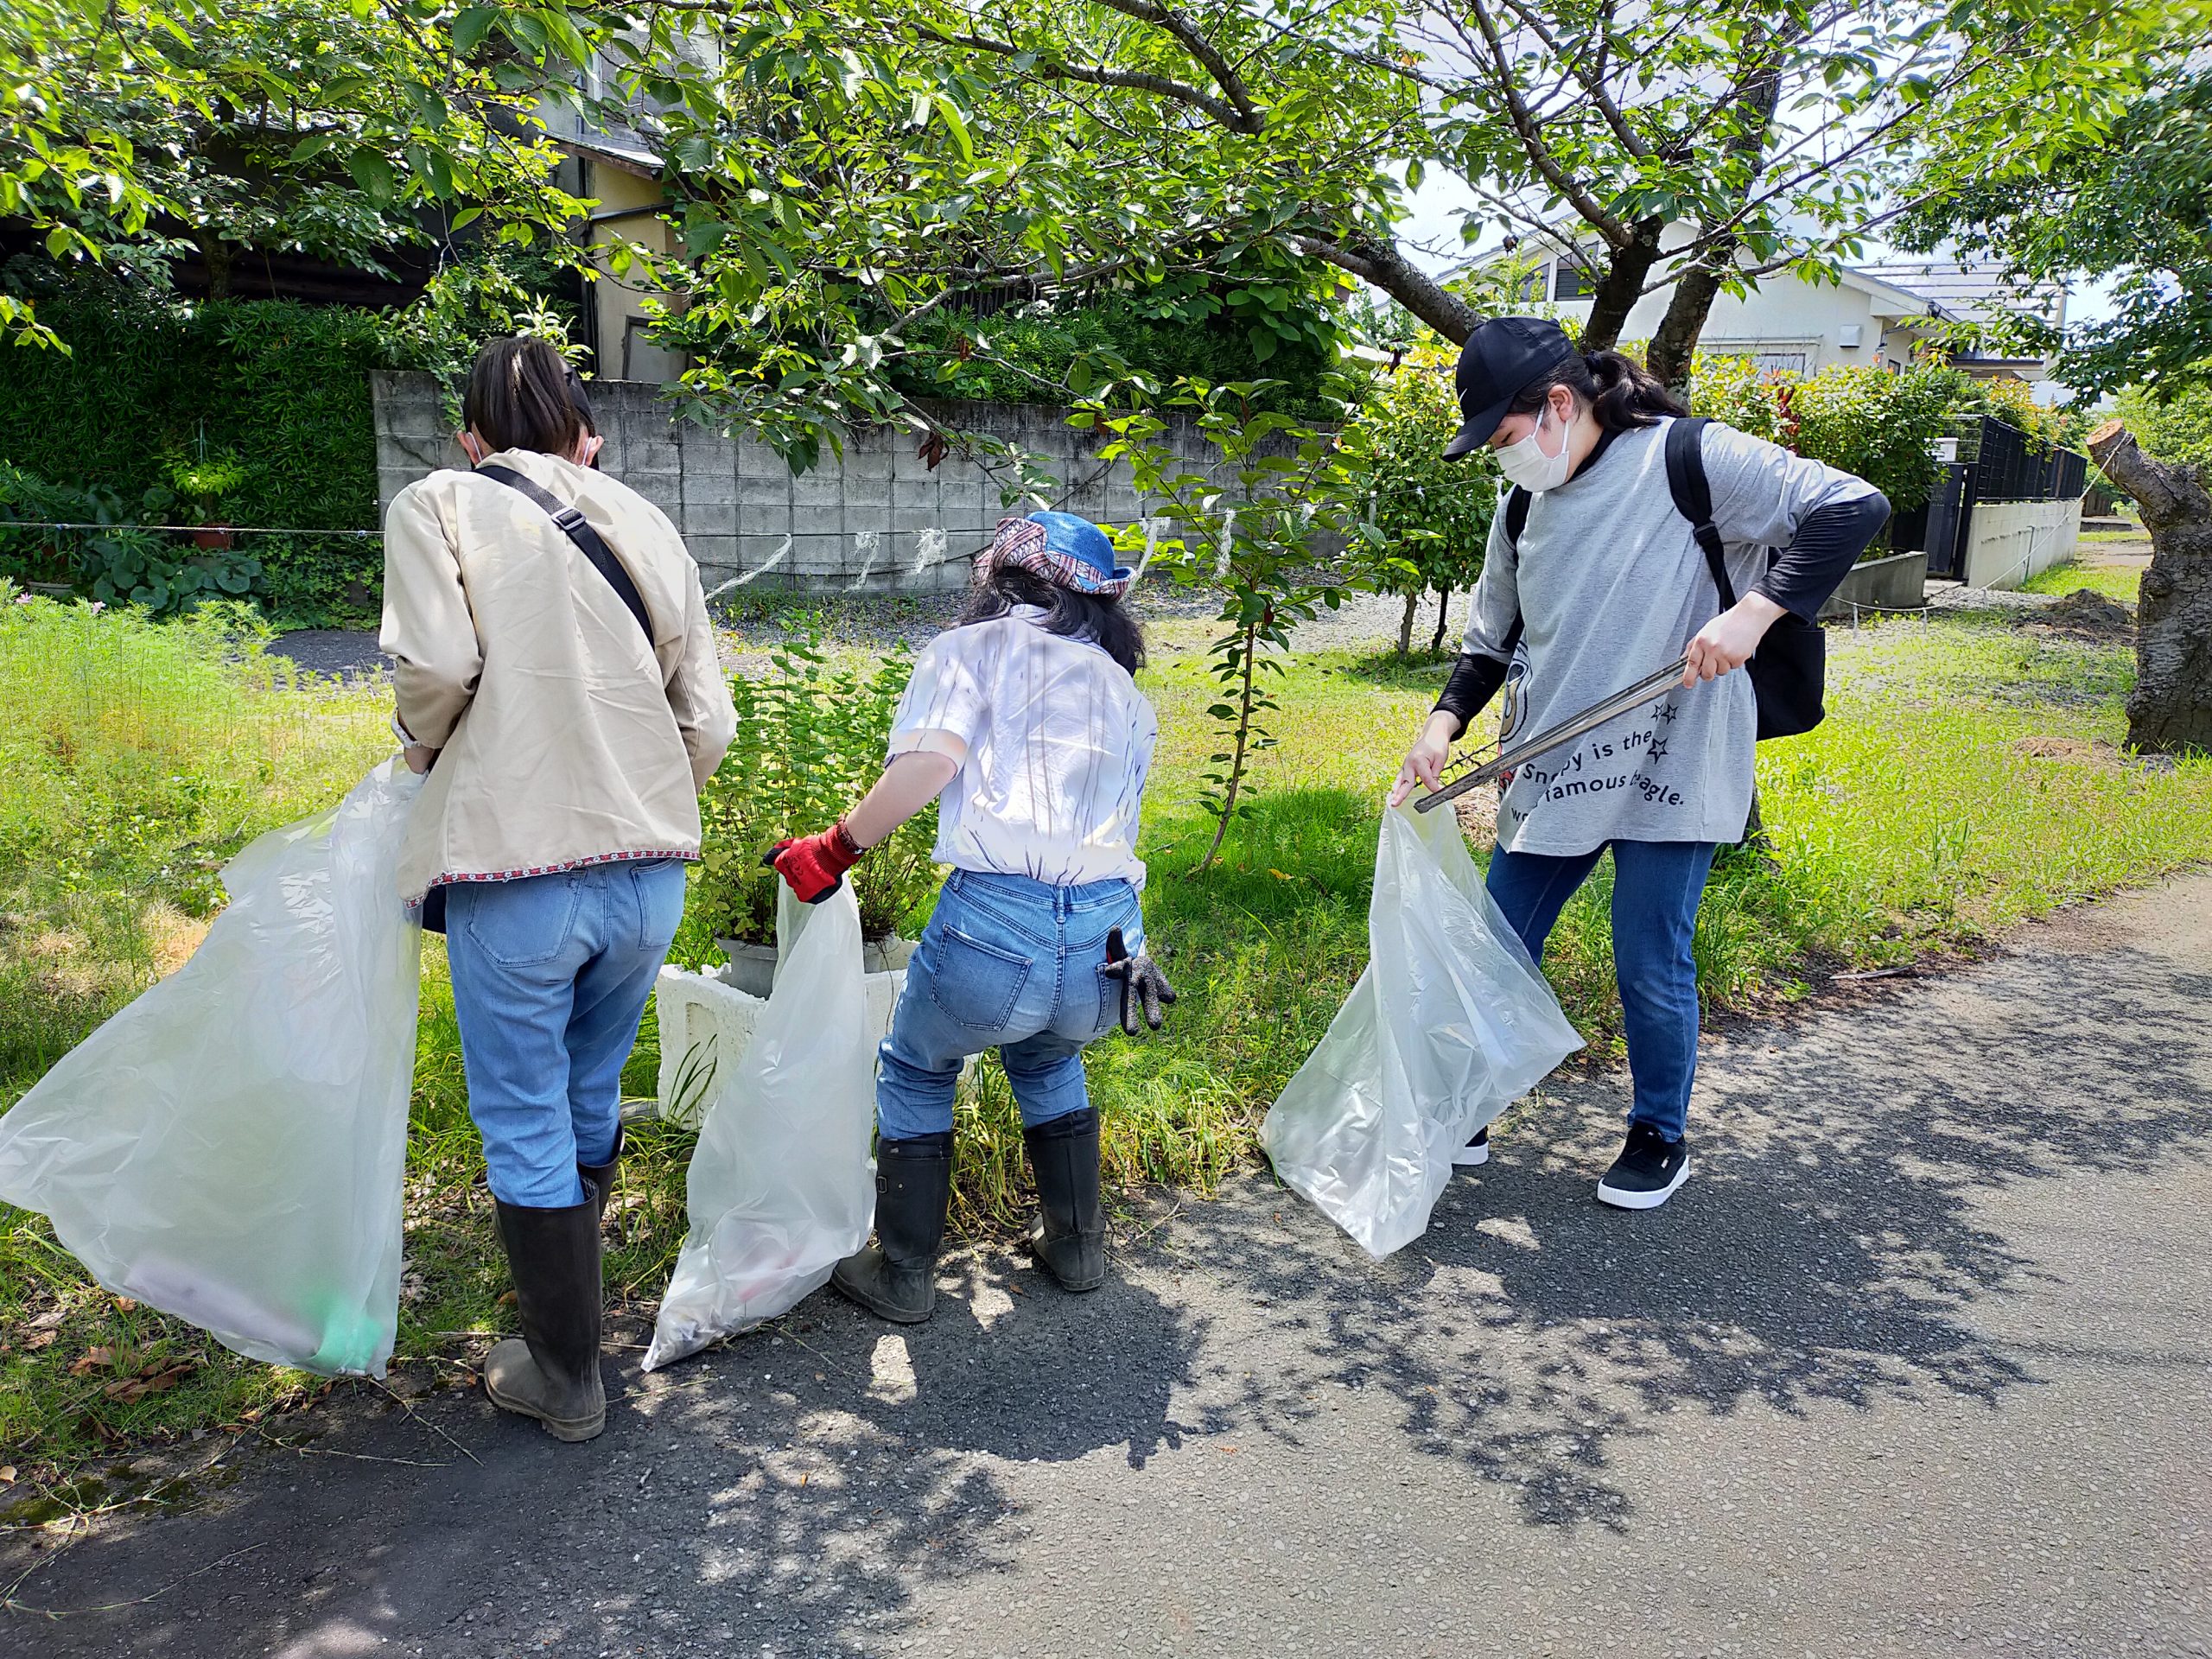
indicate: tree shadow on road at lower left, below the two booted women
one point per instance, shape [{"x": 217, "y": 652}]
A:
[{"x": 786, "y": 1494}]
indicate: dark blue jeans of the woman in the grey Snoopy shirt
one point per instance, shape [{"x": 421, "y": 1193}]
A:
[{"x": 1656, "y": 893}]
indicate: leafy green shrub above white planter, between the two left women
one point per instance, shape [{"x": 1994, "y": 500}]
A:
[{"x": 811, "y": 740}]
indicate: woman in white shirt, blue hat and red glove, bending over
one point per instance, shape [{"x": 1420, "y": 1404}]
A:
[{"x": 1030, "y": 724}]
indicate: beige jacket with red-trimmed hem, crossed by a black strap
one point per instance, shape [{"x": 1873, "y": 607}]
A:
[{"x": 561, "y": 738}]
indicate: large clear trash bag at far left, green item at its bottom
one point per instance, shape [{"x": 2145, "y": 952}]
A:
[{"x": 231, "y": 1147}]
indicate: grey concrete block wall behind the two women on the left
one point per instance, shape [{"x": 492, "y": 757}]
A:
[{"x": 879, "y": 519}]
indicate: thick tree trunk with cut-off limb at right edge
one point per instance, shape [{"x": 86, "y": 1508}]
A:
[{"x": 2171, "y": 707}]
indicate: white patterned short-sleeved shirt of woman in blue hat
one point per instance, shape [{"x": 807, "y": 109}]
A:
[{"x": 1054, "y": 744}]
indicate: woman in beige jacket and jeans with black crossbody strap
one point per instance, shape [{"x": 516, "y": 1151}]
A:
[{"x": 556, "y": 678}]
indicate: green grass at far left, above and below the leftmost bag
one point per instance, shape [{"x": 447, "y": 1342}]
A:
[{"x": 136, "y": 760}]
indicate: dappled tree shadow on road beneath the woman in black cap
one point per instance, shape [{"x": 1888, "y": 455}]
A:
[{"x": 1830, "y": 1251}]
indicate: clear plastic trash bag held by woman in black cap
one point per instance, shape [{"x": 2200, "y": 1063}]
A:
[{"x": 1443, "y": 1030}]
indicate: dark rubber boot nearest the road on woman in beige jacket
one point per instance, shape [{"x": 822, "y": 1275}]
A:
[{"x": 552, "y": 1373}]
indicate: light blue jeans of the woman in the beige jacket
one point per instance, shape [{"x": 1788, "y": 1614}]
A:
[{"x": 550, "y": 983}]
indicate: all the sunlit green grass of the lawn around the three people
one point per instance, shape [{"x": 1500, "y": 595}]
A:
[{"x": 1968, "y": 778}]
